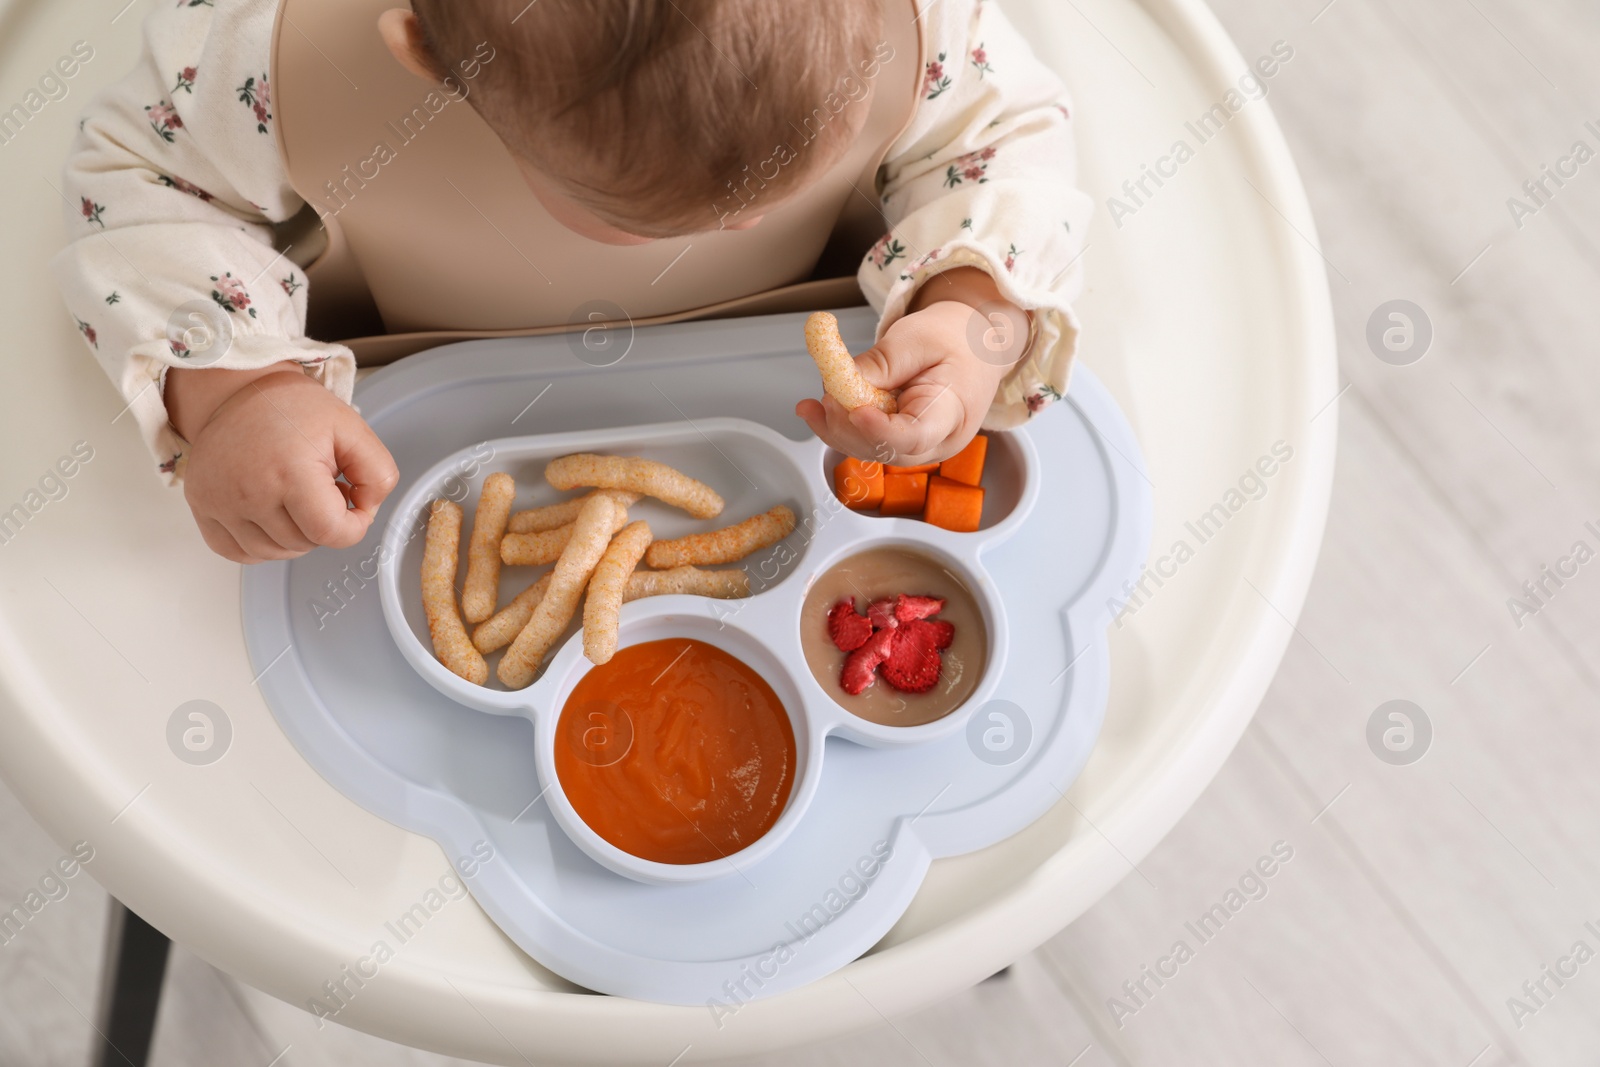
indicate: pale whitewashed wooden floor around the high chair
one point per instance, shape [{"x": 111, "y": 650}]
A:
[{"x": 1418, "y": 900}]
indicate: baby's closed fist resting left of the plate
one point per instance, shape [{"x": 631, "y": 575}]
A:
[{"x": 262, "y": 470}]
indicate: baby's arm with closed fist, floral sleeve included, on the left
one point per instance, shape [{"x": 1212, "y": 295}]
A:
[{"x": 174, "y": 186}]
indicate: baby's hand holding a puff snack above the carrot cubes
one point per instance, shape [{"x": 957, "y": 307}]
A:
[{"x": 930, "y": 356}]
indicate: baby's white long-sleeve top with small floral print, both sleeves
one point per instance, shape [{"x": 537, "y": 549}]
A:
[{"x": 175, "y": 182}]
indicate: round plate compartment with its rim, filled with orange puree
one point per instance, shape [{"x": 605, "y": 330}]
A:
[{"x": 687, "y": 757}]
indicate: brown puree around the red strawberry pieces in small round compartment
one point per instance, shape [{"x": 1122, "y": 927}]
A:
[{"x": 884, "y": 573}]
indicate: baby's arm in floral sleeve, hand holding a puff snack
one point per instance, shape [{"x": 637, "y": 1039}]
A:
[{"x": 975, "y": 279}]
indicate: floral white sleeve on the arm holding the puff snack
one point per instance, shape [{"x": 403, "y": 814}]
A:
[{"x": 985, "y": 178}]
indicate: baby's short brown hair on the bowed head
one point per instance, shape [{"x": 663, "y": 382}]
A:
[{"x": 666, "y": 116}]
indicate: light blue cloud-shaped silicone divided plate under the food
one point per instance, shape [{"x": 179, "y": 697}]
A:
[{"x": 1066, "y": 524}]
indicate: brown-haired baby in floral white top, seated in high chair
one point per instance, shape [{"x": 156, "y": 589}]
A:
[{"x": 628, "y": 119}]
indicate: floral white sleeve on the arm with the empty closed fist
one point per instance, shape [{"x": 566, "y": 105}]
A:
[{"x": 172, "y": 190}]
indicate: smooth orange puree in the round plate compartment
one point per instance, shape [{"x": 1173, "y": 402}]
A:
[{"x": 676, "y": 753}]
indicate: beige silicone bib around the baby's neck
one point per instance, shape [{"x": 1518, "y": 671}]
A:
[{"x": 433, "y": 234}]
